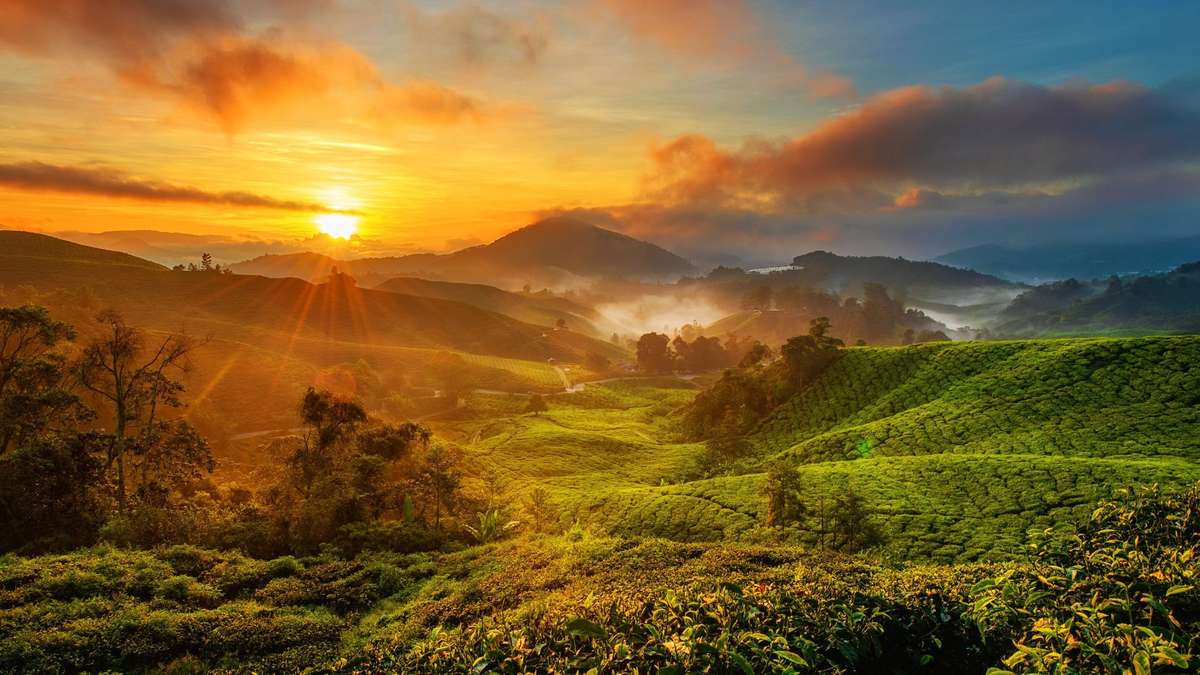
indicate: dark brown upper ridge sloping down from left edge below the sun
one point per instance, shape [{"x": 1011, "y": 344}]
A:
[{"x": 245, "y": 307}]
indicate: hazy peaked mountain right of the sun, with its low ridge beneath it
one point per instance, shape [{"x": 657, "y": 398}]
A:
[{"x": 550, "y": 253}]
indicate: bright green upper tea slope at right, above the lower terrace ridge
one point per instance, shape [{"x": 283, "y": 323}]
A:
[{"x": 1095, "y": 398}]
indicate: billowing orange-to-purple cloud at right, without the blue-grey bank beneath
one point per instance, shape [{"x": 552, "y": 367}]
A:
[{"x": 997, "y": 136}]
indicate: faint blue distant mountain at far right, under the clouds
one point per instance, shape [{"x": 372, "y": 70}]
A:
[{"x": 1085, "y": 261}]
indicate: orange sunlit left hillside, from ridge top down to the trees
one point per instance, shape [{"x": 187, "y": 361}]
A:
[{"x": 272, "y": 338}]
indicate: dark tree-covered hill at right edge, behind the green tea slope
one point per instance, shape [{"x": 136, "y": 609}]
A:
[{"x": 1145, "y": 304}]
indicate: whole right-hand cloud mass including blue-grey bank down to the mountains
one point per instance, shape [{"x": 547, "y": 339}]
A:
[{"x": 921, "y": 170}]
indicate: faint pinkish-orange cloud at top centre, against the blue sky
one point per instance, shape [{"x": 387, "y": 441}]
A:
[{"x": 722, "y": 32}]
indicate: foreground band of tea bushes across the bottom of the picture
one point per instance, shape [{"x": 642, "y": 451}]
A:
[{"x": 1118, "y": 595}]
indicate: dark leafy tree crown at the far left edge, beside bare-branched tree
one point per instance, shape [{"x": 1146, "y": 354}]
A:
[{"x": 35, "y": 395}]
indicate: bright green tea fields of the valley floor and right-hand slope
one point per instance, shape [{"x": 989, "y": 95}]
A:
[{"x": 958, "y": 450}]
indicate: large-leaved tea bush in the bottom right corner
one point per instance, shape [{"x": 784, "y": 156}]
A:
[{"x": 1120, "y": 595}]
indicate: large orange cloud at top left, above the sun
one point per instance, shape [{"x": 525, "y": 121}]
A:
[{"x": 199, "y": 55}]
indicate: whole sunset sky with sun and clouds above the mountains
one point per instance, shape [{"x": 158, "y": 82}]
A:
[{"x": 734, "y": 132}]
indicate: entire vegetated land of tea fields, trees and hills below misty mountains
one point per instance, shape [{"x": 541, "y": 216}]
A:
[{"x": 337, "y": 494}]
